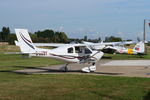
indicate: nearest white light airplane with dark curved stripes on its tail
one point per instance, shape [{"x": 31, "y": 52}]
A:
[{"x": 69, "y": 53}]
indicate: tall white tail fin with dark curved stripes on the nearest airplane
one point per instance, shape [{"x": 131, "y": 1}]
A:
[{"x": 25, "y": 42}]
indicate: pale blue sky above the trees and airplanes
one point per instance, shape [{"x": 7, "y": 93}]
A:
[{"x": 78, "y": 18}]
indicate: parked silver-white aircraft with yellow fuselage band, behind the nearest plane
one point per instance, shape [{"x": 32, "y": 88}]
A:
[{"x": 118, "y": 47}]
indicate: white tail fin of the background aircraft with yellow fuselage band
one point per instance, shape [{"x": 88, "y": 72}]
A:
[{"x": 140, "y": 47}]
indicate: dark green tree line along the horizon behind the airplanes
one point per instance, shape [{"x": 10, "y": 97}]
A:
[{"x": 50, "y": 36}]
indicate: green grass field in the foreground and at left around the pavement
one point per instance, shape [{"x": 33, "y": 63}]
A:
[{"x": 15, "y": 86}]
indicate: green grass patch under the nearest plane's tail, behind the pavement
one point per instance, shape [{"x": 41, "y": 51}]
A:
[{"x": 14, "y": 61}]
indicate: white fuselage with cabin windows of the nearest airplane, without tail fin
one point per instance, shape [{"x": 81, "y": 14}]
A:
[{"x": 70, "y": 54}]
